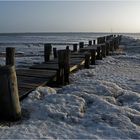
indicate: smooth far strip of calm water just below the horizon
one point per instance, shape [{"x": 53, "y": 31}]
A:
[{"x": 56, "y": 38}]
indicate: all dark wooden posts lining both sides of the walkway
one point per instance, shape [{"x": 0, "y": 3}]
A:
[{"x": 9, "y": 98}]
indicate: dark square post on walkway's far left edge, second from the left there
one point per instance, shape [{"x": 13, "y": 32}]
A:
[{"x": 47, "y": 52}]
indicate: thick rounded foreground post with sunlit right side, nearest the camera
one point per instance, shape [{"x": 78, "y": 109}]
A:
[{"x": 9, "y": 99}]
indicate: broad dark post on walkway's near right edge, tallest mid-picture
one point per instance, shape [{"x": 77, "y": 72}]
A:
[{"x": 63, "y": 63}]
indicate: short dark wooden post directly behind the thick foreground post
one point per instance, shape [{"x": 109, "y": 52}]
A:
[{"x": 10, "y": 56}]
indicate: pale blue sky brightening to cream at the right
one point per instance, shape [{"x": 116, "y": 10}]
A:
[{"x": 69, "y": 16}]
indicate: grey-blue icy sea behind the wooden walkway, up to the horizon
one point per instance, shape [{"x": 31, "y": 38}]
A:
[{"x": 31, "y": 45}]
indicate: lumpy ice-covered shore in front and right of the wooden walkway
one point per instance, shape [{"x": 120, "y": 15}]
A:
[{"x": 100, "y": 103}]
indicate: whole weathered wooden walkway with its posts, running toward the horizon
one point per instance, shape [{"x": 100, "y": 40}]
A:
[{"x": 55, "y": 71}]
